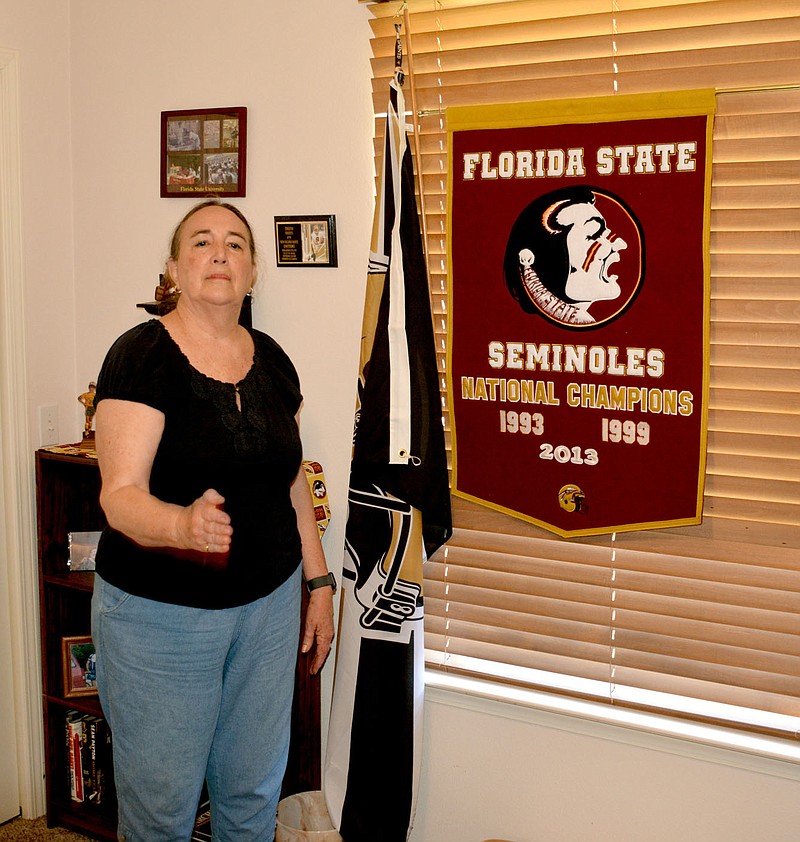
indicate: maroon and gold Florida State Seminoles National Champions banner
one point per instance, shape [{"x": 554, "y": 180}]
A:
[{"x": 578, "y": 355}]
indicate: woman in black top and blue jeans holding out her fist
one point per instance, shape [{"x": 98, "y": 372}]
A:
[{"x": 196, "y": 608}]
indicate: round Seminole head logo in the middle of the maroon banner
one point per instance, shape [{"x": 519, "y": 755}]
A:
[{"x": 576, "y": 257}]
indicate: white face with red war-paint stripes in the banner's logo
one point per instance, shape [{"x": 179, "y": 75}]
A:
[{"x": 593, "y": 249}]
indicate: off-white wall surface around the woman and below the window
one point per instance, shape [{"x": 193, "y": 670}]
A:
[{"x": 95, "y": 77}]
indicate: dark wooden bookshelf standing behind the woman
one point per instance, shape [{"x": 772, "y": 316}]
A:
[{"x": 67, "y": 491}]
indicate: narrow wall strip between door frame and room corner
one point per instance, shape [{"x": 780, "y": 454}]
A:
[{"x": 39, "y": 31}]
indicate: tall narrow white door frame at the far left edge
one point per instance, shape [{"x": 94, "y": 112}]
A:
[{"x": 18, "y": 543}]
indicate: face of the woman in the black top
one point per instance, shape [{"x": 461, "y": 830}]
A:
[{"x": 214, "y": 263}]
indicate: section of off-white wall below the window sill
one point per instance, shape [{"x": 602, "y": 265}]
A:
[{"x": 495, "y": 770}]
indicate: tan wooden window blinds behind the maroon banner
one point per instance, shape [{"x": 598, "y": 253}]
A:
[{"x": 700, "y": 621}]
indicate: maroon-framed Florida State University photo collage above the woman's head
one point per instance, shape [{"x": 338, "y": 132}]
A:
[{"x": 203, "y": 151}]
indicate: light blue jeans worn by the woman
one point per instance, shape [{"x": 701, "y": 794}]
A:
[{"x": 193, "y": 695}]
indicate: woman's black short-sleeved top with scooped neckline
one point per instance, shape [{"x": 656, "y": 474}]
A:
[{"x": 250, "y": 456}]
